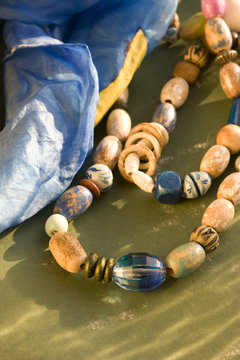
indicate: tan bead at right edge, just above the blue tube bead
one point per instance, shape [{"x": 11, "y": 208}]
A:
[{"x": 230, "y": 79}]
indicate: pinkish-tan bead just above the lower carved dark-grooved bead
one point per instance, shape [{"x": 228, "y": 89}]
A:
[{"x": 219, "y": 214}]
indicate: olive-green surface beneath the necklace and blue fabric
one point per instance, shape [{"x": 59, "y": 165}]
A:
[{"x": 47, "y": 313}]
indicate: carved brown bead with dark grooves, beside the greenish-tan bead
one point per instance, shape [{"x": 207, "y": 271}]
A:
[{"x": 207, "y": 237}]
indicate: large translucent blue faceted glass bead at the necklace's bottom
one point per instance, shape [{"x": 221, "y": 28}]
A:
[{"x": 139, "y": 272}]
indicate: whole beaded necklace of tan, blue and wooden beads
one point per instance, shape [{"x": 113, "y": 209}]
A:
[{"x": 137, "y": 163}]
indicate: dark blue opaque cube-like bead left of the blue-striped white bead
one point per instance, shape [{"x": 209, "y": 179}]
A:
[{"x": 168, "y": 189}]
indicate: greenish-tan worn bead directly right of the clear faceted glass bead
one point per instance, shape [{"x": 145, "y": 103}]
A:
[{"x": 185, "y": 259}]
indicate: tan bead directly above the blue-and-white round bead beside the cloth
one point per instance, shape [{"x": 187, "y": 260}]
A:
[{"x": 107, "y": 151}]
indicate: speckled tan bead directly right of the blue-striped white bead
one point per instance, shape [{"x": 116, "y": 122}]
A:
[{"x": 215, "y": 160}]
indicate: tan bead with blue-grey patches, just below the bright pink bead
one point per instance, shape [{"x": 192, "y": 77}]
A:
[{"x": 218, "y": 35}]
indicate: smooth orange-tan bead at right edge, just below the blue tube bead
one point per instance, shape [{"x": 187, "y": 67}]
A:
[{"x": 229, "y": 136}]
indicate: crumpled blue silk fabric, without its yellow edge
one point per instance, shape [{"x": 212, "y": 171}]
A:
[{"x": 60, "y": 55}]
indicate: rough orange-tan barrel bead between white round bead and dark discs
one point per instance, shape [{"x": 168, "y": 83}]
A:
[{"x": 67, "y": 251}]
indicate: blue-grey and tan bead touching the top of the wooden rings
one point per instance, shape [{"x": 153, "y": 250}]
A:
[{"x": 165, "y": 114}]
